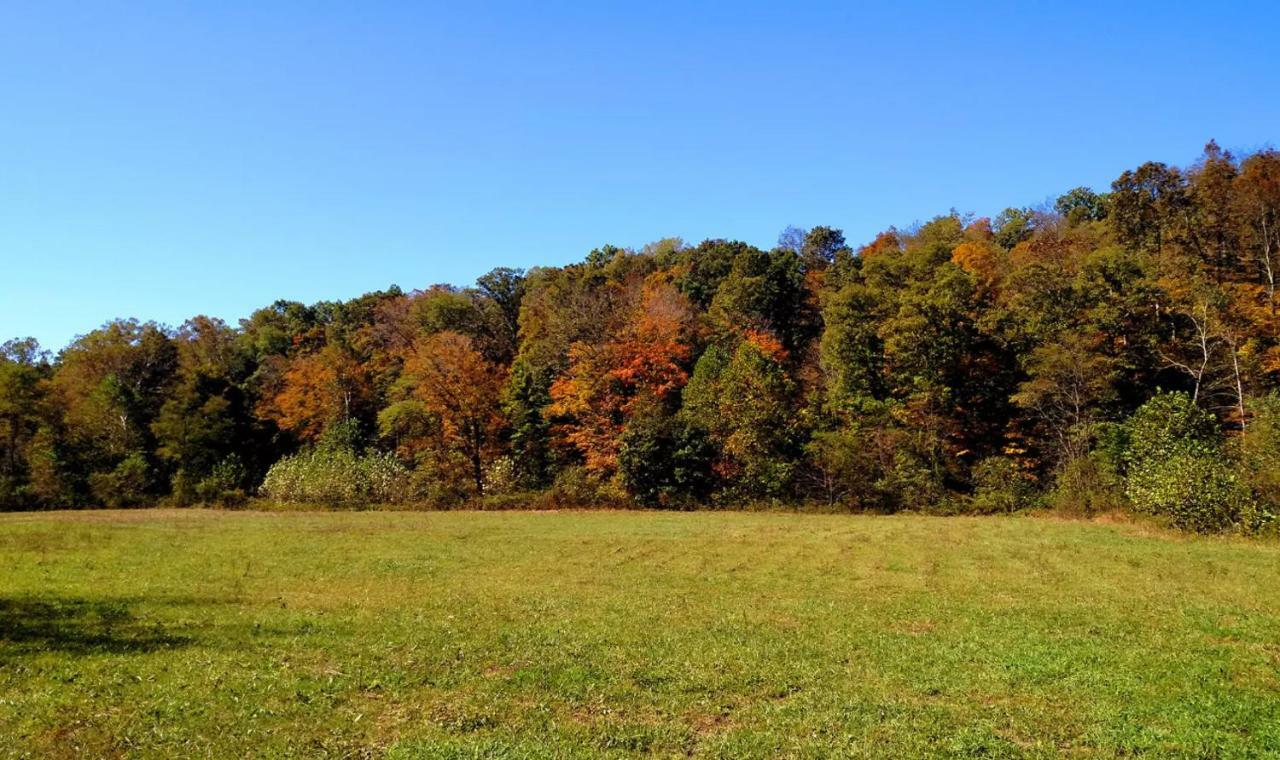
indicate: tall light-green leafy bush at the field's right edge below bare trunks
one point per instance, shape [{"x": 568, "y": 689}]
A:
[{"x": 1177, "y": 469}]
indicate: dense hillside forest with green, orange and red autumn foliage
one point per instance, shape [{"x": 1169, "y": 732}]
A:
[{"x": 1109, "y": 351}]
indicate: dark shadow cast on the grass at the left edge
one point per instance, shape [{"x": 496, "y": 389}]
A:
[{"x": 31, "y": 625}]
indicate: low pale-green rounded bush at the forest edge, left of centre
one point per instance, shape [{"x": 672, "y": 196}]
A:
[{"x": 339, "y": 477}]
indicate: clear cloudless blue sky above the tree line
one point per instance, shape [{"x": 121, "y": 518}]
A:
[{"x": 168, "y": 159}]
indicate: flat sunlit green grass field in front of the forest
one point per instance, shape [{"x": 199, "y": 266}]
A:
[{"x": 188, "y": 634}]
